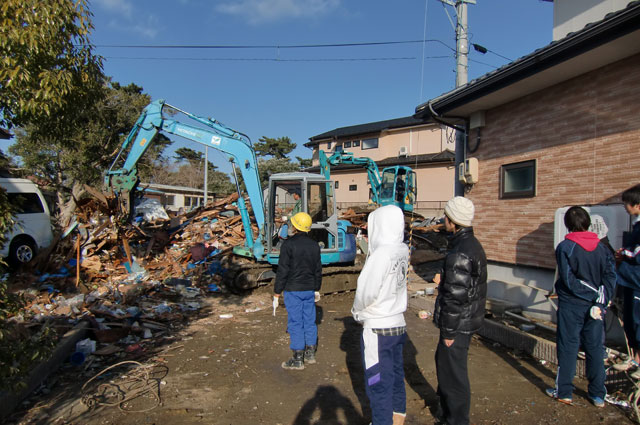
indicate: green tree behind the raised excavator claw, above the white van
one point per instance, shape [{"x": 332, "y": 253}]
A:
[{"x": 67, "y": 161}]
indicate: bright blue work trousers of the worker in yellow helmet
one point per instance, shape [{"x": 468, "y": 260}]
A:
[{"x": 301, "y": 318}]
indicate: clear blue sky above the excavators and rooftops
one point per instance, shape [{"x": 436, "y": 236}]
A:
[{"x": 302, "y": 92}]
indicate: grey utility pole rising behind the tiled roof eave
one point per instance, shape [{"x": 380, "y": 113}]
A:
[{"x": 462, "y": 76}]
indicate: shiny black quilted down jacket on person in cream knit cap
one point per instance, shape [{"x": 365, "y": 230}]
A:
[{"x": 463, "y": 287}]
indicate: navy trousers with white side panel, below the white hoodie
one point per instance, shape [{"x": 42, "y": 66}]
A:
[{"x": 383, "y": 375}]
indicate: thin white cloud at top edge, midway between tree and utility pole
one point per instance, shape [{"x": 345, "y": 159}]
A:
[{"x": 257, "y": 11}]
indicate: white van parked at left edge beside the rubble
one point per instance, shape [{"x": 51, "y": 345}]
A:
[{"x": 32, "y": 231}]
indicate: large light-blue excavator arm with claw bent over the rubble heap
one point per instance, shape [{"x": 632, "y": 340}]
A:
[{"x": 123, "y": 181}]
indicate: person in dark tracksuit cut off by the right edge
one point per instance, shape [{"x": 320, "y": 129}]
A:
[{"x": 628, "y": 258}]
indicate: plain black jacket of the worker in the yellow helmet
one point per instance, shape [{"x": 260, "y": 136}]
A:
[{"x": 299, "y": 266}]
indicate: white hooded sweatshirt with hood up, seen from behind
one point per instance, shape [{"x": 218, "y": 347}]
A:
[{"x": 381, "y": 294}]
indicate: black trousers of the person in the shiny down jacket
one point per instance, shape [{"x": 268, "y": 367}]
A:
[{"x": 453, "y": 380}]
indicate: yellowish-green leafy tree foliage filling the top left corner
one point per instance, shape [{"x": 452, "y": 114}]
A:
[{"x": 47, "y": 65}]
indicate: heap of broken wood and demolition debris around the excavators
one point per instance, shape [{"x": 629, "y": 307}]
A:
[{"x": 134, "y": 283}]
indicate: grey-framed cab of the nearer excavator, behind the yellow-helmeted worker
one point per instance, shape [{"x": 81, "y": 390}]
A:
[{"x": 290, "y": 193}]
